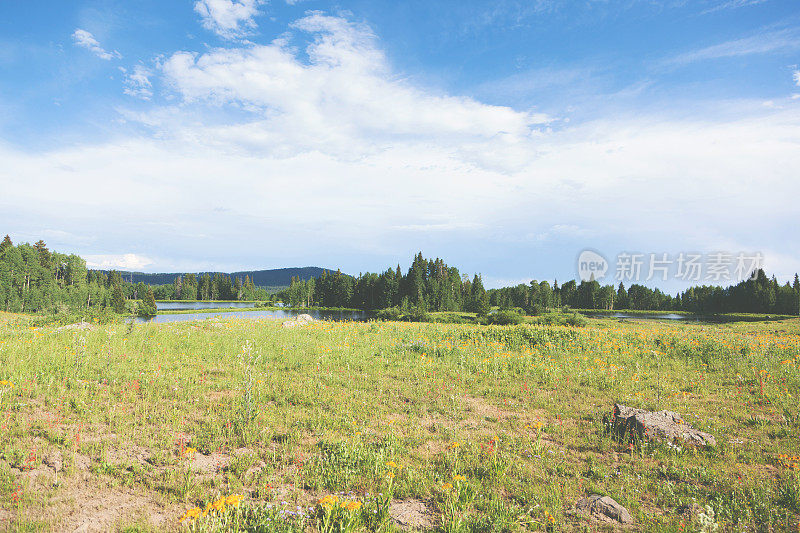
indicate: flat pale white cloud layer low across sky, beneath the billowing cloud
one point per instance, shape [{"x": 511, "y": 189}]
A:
[{"x": 700, "y": 193}]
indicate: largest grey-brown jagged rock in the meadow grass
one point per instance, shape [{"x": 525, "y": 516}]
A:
[{"x": 659, "y": 425}]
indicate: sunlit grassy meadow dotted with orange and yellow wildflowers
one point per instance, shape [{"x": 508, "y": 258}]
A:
[{"x": 242, "y": 425}]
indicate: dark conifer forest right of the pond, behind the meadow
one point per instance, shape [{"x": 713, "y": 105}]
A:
[{"x": 431, "y": 285}]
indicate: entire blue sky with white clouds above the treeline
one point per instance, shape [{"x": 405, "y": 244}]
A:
[{"x": 505, "y": 137}]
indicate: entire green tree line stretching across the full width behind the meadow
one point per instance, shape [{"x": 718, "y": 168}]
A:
[{"x": 35, "y": 279}]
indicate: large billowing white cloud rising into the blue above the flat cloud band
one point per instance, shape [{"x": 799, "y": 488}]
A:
[{"x": 344, "y": 100}]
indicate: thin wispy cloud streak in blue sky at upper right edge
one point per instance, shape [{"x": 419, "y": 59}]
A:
[{"x": 784, "y": 40}]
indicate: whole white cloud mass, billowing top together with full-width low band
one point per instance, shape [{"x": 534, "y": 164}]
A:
[{"x": 333, "y": 151}]
